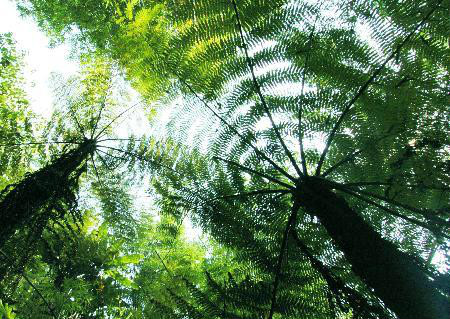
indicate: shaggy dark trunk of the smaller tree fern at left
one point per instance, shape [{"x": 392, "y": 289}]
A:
[{"x": 22, "y": 201}]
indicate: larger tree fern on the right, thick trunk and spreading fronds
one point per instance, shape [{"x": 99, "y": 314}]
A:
[{"x": 336, "y": 107}]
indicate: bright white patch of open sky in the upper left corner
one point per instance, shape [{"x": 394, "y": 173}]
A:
[{"x": 40, "y": 59}]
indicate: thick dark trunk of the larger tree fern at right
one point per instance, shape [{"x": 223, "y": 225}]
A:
[{"x": 395, "y": 276}]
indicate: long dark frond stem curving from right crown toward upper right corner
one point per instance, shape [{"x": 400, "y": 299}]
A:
[{"x": 365, "y": 86}]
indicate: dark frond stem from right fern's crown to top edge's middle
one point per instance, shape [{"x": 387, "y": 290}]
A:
[{"x": 258, "y": 89}]
